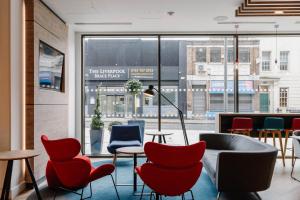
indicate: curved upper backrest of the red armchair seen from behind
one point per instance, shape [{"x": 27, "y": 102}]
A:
[{"x": 176, "y": 157}]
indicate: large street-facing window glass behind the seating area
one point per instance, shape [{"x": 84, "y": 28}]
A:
[{"x": 197, "y": 75}]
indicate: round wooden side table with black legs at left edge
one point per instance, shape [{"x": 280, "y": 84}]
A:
[{"x": 10, "y": 156}]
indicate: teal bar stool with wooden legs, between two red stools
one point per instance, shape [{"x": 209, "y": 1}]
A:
[{"x": 274, "y": 126}]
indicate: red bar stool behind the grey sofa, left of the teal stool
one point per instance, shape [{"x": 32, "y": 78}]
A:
[{"x": 242, "y": 125}]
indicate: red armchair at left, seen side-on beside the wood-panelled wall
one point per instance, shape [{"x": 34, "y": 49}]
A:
[{"x": 70, "y": 171}]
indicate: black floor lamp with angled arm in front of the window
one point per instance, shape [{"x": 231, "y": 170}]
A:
[{"x": 150, "y": 92}]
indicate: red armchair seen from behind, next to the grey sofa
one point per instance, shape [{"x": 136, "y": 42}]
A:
[{"x": 171, "y": 170}]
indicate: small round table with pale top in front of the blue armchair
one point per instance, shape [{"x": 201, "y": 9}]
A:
[{"x": 132, "y": 151}]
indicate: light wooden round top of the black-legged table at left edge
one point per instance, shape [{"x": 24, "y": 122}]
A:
[{"x": 18, "y": 154}]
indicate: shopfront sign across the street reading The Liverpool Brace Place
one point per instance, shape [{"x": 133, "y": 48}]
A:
[{"x": 122, "y": 73}]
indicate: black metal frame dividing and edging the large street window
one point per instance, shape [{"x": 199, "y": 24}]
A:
[{"x": 159, "y": 35}]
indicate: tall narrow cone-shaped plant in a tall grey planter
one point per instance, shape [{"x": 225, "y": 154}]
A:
[{"x": 96, "y": 132}]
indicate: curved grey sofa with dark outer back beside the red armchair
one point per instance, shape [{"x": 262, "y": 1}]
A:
[{"x": 237, "y": 163}]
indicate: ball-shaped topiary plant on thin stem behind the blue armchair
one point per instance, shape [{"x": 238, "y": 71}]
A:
[{"x": 135, "y": 87}]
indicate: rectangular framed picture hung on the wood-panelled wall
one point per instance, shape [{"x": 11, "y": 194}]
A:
[{"x": 51, "y": 68}]
